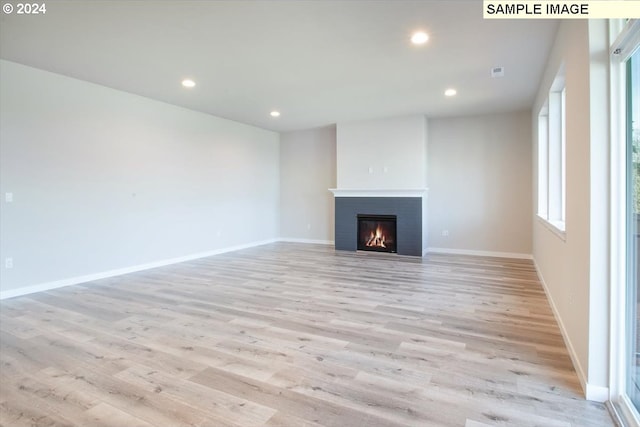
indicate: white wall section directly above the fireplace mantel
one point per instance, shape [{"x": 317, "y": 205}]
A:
[{"x": 393, "y": 149}]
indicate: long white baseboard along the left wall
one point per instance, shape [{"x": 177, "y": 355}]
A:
[{"x": 120, "y": 271}]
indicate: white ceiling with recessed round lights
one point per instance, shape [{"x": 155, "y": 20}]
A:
[{"x": 318, "y": 62}]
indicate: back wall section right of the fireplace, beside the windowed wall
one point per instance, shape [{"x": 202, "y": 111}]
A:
[{"x": 480, "y": 183}]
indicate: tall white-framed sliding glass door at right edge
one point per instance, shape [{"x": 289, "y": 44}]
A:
[{"x": 625, "y": 223}]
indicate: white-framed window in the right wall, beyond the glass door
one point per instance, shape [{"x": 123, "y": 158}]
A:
[{"x": 551, "y": 157}]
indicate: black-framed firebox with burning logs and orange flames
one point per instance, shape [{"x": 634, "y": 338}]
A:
[{"x": 377, "y": 233}]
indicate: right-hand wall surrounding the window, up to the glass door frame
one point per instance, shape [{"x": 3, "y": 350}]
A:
[{"x": 574, "y": 270}]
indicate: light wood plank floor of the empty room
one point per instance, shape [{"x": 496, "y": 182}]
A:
[{"x": 294, "y": 335}]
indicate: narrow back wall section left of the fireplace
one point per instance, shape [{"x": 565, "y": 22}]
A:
[{"x": 307, "y": 171}]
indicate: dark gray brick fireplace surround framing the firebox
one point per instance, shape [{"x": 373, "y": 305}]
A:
[{"x": 408, "y": 211}]
